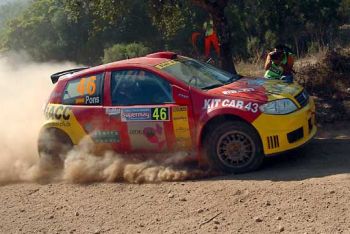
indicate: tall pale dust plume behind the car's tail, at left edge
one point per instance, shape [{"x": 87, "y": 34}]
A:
[{"x": 24, "y": 89}]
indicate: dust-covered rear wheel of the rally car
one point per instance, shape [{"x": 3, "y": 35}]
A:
[{"x": 53, "y": 146}]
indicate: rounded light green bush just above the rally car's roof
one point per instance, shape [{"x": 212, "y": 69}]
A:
[{"x": 124, "y": 51}]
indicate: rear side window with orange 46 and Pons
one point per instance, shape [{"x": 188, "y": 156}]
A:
[{"x": 84, "y": 91}]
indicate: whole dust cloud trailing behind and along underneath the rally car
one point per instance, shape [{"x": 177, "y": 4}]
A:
[{"x": 25, "y": 87}]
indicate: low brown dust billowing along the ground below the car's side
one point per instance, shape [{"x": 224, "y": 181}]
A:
[{"x": 83, "y": 167}]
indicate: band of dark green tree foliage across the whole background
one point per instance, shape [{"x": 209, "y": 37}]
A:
[{"x": 80, "y": 30}]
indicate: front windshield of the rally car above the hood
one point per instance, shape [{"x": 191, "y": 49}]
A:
[{"x": 196, "y": 73}]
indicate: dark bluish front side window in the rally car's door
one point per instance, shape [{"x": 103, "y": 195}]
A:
[{"x": 138, "y": 87}]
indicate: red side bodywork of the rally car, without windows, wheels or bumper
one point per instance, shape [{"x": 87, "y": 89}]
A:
[{"x": 113, "y": 127}]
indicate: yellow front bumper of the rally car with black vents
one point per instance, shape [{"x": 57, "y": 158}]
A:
[{"x": 280, "y": 133}]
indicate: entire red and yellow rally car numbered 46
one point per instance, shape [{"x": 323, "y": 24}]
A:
[{"x": 164, "y": 102}]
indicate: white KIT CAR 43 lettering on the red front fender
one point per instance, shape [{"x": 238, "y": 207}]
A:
[{"x": 210, "y": 104}]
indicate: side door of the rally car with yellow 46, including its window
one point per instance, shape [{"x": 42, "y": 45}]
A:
[{"x": 144, "y": 110}]
